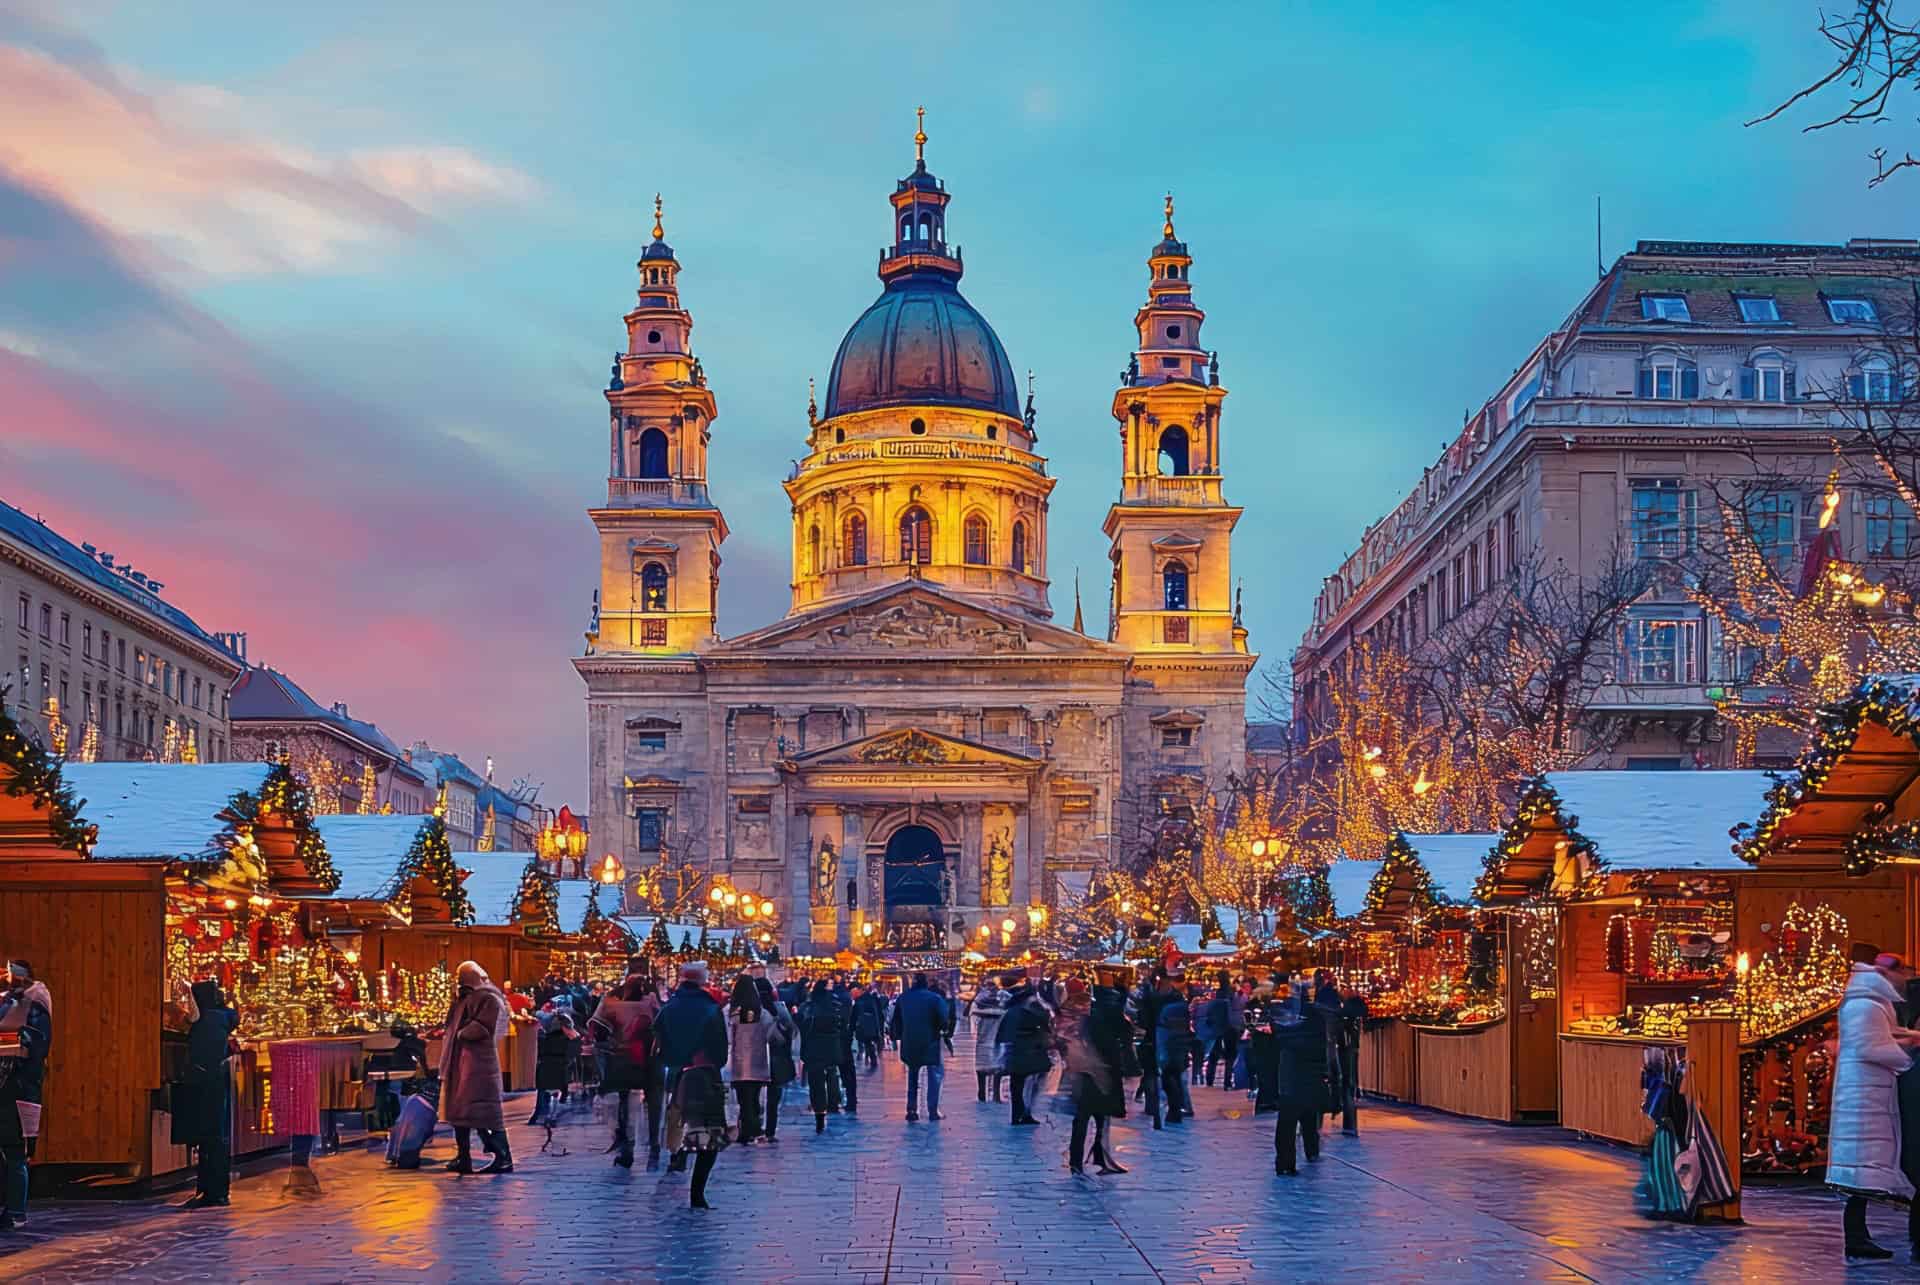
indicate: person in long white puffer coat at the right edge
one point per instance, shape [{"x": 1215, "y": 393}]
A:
[{"x": 1865, "y": 1127}]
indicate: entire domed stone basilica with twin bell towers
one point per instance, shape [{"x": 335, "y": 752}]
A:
[{"x": 917, "y": 754}]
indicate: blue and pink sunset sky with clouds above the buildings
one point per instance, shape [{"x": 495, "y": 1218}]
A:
[{"x": 381, "y": 256}]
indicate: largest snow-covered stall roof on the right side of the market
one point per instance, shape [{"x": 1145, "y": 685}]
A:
[{"x": 1660, "y": 821}]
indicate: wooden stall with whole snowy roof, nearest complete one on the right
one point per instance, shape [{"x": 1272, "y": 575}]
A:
[{"x": 1643, "y": 890}]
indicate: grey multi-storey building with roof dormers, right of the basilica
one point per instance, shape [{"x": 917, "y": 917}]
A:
[{"x": 1691, "y": 374}]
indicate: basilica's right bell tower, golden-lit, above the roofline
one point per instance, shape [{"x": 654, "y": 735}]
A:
[{"x": 1170, "y": 533}]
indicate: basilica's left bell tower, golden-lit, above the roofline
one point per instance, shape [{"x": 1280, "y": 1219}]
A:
[{"x": 660, "y": 531}]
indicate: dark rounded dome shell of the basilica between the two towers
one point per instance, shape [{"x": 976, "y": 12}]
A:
[{"x": 923, "y": 345}]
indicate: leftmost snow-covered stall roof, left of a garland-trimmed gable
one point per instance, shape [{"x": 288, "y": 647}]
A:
[{"x": 153, "y": 812}]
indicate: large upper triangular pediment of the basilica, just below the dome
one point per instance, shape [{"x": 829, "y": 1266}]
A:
[{"x": 913, "y": 618}]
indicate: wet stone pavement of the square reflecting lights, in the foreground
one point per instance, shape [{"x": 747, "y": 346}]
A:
[{"x": 1418, "y": 1198}]
